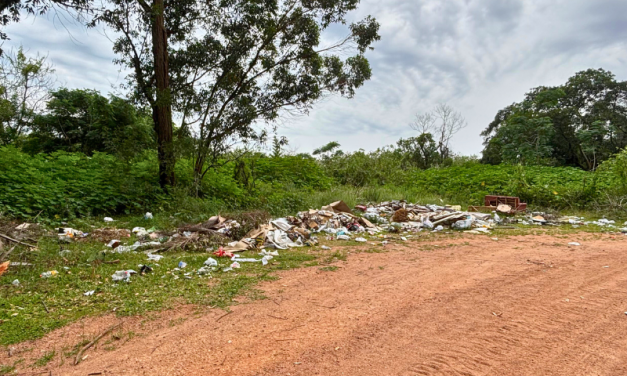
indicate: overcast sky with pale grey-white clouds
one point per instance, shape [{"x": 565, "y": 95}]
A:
[{"x": 476, "y": 55}]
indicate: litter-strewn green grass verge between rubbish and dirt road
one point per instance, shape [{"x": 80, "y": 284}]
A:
[{"x": 40, "y": 305}]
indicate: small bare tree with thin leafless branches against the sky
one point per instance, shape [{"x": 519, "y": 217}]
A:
[{"x": 442, "y": 123}]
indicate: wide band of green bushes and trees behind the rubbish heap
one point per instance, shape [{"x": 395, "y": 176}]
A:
[{"x": 70, "y": 153}]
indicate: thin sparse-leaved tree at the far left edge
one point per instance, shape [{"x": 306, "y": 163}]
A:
[{"x": 25, "y": 83}]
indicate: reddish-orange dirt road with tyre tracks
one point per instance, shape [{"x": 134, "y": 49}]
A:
[{"x": 521, "y": 306}]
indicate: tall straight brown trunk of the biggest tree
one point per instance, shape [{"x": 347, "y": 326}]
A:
[{"x": 162, "y": 110}]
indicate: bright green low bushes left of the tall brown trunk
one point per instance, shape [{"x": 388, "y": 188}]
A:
[{"x": 64, "y": 185}]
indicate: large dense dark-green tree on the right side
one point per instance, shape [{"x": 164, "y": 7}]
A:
[{"x": 588, "y": 116}]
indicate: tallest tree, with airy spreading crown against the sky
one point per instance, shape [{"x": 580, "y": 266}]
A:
[{"x": 227, "y": 65}]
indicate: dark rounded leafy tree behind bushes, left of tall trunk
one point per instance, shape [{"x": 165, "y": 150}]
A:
[{"x": 85, "y": 121}]
